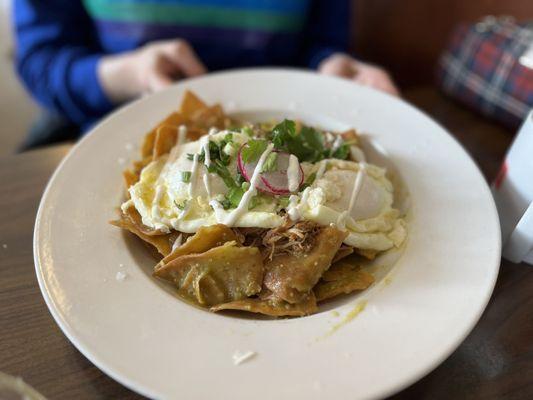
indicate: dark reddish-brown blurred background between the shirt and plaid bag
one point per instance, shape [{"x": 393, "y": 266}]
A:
[{"x": 407, "y": 36}]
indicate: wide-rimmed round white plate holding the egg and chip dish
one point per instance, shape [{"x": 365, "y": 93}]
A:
[{"x": 145, "y": 338}]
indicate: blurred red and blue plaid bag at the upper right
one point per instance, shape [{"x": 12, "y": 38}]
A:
[{"x": 489, "y": 67}]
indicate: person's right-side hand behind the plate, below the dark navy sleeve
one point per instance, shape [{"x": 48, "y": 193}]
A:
[{"x": 366, "y": 74}]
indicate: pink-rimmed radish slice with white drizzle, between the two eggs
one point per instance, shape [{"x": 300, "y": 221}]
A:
[{"x": 275, "y": 182}]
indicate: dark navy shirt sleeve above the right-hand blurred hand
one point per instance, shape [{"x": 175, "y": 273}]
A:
[{"x": 327, "y": 30}]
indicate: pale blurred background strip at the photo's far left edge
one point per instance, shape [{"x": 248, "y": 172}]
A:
[{"x": 17, "y": 110}]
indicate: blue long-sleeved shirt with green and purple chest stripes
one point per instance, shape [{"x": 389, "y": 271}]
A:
[{"x": 60, "y": 42}]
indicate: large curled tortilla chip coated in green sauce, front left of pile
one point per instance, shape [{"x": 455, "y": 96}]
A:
[{"x": 220, "y": 275}]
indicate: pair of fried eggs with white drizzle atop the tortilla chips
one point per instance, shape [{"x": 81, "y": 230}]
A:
[{"x": 176, "y": 191}]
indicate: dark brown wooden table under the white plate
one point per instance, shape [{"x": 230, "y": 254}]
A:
[{"x": 494, "y": 362}]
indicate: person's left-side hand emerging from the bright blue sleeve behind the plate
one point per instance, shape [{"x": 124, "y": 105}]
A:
[{"x": 148, "y": 69}]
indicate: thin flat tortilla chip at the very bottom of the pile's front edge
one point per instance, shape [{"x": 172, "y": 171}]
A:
[{"x": 272, "y": 306}]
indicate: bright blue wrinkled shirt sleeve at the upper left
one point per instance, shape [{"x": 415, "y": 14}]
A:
[{"x": 57, "y": 57}]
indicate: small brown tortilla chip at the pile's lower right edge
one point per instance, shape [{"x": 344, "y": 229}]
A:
[{"x": 342, "y": 278}]
